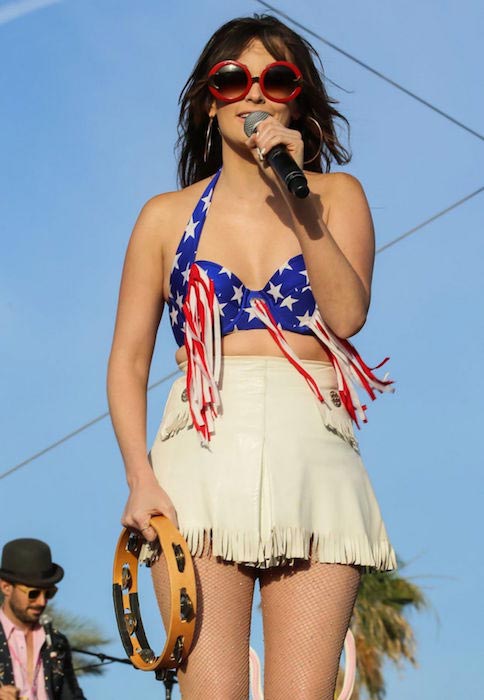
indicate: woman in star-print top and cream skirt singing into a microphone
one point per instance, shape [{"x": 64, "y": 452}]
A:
[{"x": 256, "y": 459}]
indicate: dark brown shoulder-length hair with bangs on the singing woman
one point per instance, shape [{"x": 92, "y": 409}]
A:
[{"x": 280, "y": 41}]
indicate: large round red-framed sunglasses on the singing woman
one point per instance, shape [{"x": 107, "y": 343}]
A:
[{"x": 231, "y": 81}]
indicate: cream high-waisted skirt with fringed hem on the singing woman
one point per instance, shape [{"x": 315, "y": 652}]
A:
[{"x": 281, "y": 477}]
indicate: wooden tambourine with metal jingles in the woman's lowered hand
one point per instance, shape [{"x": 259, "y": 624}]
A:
[{"x": 132, "y": 549}]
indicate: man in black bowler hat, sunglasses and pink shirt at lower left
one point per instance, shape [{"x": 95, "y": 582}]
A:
[{"x": 35, "y": 663}]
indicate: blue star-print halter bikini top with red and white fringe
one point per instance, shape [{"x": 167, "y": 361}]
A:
[{"x": 207, "y": 301}]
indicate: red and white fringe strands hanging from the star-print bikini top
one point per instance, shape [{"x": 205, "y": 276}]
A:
[{"x": 204, "y": 354}]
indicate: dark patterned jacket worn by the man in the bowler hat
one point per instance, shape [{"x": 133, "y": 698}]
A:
[{"x": 59, "y": 677}]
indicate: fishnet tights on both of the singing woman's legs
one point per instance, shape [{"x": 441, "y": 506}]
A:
[{"x": 306, "y": 611}]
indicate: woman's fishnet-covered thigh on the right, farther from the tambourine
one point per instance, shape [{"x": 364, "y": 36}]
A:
[{"x": 306, "y": 611}]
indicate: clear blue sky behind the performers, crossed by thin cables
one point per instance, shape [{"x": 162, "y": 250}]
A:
[{"x": 87, "y": 129}]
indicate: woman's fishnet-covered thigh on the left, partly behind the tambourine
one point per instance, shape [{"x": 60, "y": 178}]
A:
[{"x": 218, "y": 664}]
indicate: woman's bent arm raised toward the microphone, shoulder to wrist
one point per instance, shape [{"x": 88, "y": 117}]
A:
[{"x": 339, "y": 255}]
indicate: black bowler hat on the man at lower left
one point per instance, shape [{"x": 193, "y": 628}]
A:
[{"x": 30, "y": 562}]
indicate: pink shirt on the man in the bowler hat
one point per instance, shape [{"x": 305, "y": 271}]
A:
[{"x": 18, "y": 654}]
